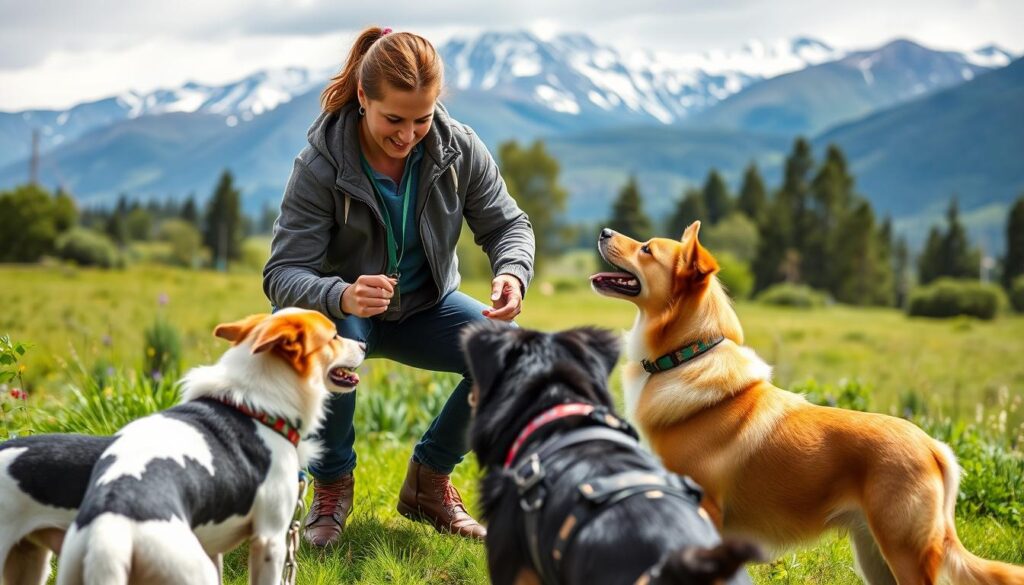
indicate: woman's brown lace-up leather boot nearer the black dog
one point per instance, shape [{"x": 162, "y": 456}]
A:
[{"x": 430, "y": 497}]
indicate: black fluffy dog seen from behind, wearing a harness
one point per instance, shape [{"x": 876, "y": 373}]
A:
[{"x": 570, "y": 495}]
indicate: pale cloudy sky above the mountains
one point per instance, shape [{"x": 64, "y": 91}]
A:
[{"x": 55, "y": 54}]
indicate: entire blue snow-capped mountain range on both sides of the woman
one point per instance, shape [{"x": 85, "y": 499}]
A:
[{"x": 593, "y": 100}]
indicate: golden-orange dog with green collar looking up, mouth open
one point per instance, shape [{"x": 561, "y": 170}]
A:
[{"x": 776, "y": 468}]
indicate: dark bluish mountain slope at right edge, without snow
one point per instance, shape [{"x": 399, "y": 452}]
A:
[{"x": 967, "y": 141}]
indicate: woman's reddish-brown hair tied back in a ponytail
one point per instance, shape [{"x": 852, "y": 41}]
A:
[{"x": 404, "y": 61}]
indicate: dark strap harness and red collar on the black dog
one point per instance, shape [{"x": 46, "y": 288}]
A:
[{"x": 594, "y": 495}]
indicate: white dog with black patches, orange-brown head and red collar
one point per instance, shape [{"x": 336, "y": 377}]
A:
[{"x": 179, "y": 488}]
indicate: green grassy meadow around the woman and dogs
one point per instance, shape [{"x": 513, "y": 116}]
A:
[{"x": 963, "y": 381}]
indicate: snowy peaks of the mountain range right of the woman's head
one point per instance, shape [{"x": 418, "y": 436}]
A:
[{"x": 574, "y": 75}]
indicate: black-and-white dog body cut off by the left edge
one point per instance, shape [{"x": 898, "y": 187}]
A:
[{"x": 42, "y": 482}]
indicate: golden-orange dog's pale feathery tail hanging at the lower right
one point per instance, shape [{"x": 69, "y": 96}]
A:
[{"x": 961, "y": 566}]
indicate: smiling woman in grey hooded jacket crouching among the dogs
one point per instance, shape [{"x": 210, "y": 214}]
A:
[{"x": 367, "y": 235}]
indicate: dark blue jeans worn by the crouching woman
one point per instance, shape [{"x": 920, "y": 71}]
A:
[{"x": 429, "y": 341}]
